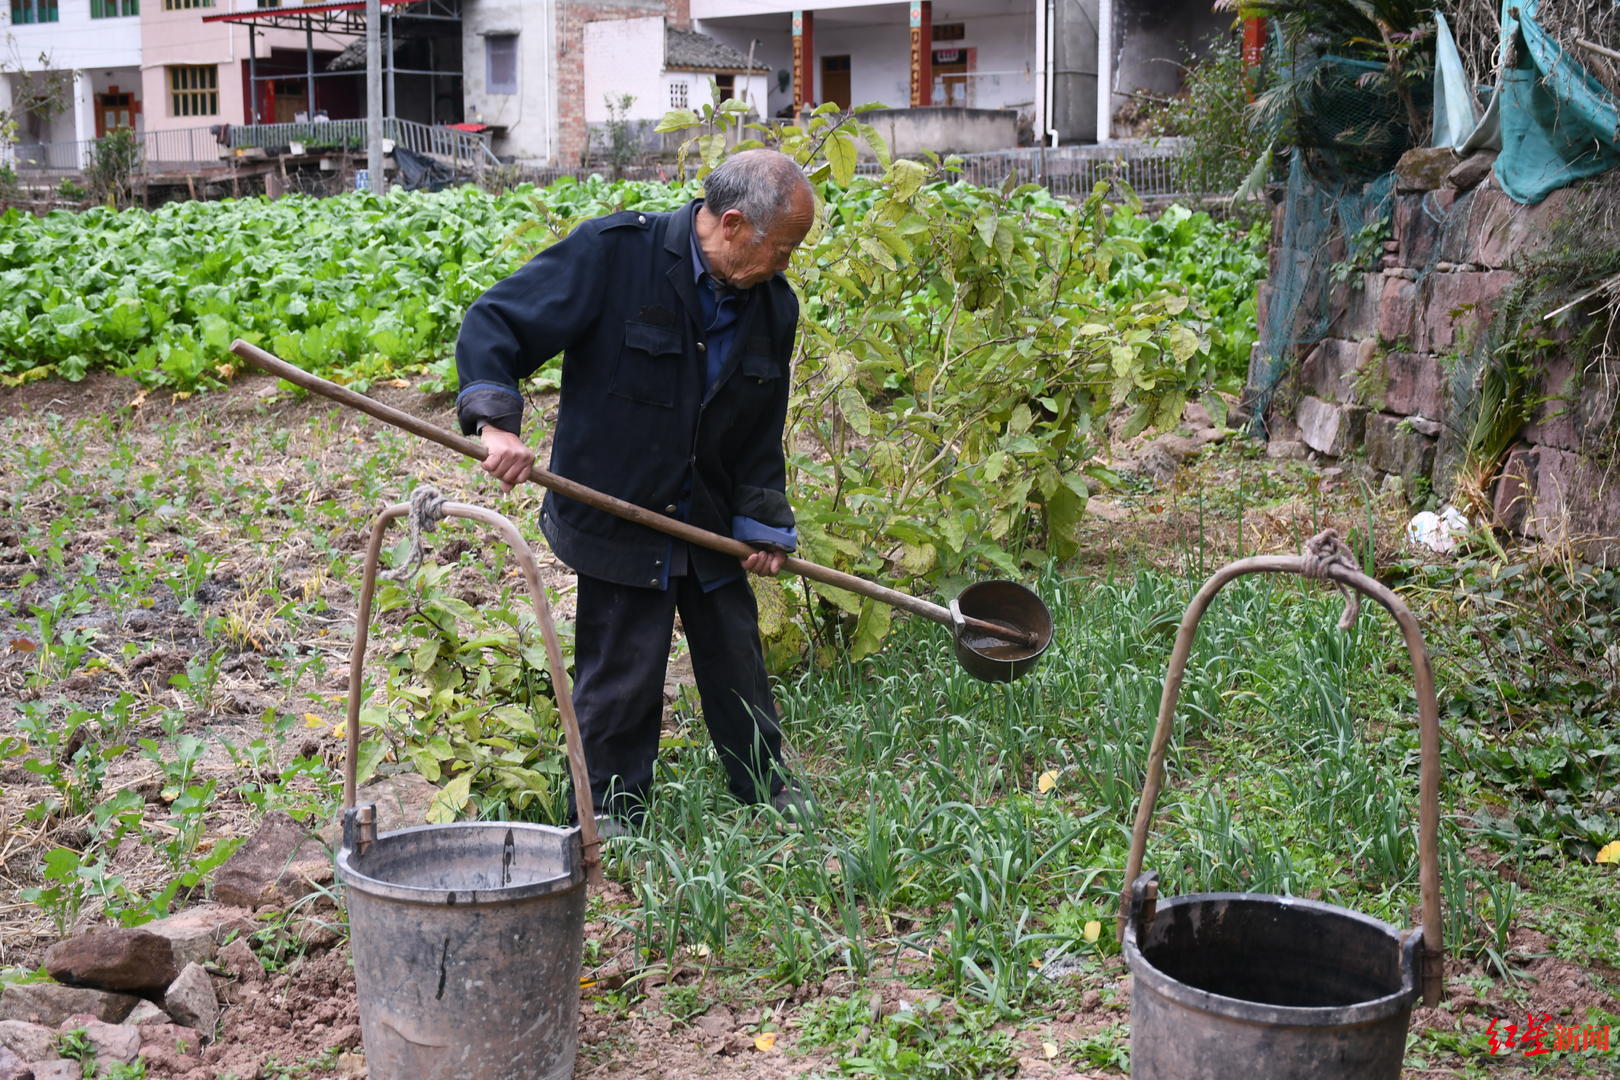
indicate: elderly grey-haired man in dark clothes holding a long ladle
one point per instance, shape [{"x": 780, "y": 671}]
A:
[{"x": 678, "y": 333}]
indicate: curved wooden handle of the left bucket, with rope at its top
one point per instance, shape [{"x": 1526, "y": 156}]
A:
[{"x": 590, "y": 844}]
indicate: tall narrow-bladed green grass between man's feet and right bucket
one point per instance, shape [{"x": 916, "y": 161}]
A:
[{"x": 937, "y": 854}]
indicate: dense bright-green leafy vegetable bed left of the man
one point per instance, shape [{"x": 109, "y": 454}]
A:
[{"x": 356, "y": 289}]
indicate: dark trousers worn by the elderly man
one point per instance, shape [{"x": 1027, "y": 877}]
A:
[{"x": 621, "y": 648}]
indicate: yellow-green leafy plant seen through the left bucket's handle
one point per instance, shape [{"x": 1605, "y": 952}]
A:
[{"x": 469, "y": 704}]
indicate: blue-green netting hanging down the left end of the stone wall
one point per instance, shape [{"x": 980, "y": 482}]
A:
[{"x": 1316, "y": 216}]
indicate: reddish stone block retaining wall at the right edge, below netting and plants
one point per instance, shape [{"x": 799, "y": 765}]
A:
[{"x": 1384, "y": 381}]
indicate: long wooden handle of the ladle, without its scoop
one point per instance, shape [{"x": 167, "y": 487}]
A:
[{"x": 613, "y": 506}]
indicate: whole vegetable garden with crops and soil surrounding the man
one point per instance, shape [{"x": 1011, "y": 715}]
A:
[{"x": 179, "y": 558}]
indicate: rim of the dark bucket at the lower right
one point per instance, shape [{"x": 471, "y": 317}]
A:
[{"x": 1370, "y": 1011}]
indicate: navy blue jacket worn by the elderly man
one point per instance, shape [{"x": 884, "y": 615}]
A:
[{"x": 618, "y": 300}]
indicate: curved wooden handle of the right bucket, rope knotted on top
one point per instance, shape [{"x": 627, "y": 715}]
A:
[{"x": 1428, "y": 718}]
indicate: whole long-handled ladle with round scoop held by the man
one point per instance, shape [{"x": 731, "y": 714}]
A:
[{"x": 1000, "y": 627}]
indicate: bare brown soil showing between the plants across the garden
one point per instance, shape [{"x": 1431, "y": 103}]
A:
[{"x": 302, "y": 1021}]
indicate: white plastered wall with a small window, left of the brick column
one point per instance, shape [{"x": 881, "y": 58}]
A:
[{"x": 529, "y": 117}]
